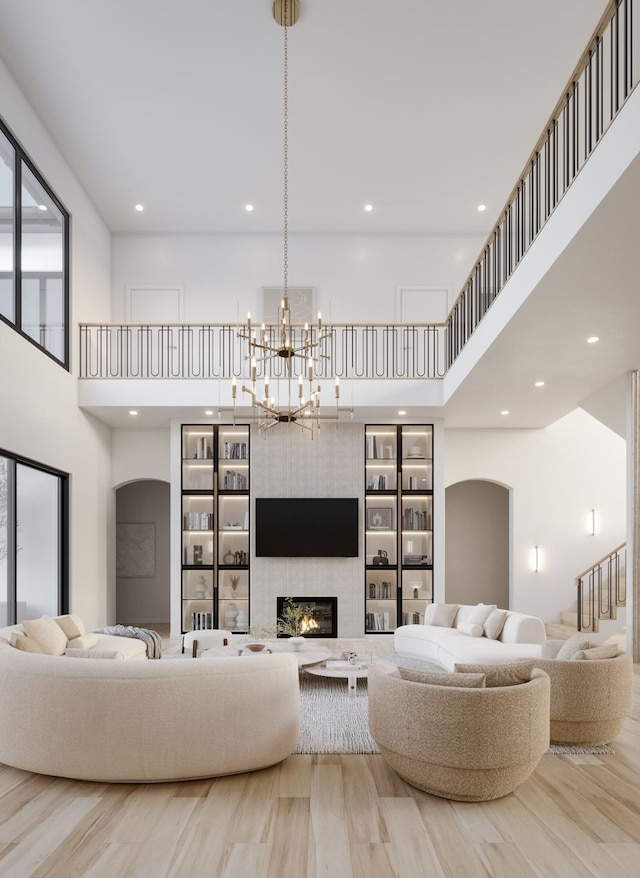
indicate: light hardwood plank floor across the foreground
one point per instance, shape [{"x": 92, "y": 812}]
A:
[{"x": 329, "y": 816}]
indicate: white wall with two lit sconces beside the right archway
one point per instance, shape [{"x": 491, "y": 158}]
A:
[{"x": 556, "y": 475}]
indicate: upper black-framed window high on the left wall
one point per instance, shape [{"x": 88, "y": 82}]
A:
[{"x": 34, "y": 253}]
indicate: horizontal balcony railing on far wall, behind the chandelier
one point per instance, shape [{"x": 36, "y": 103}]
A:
[{"x": 409, "y": 351}]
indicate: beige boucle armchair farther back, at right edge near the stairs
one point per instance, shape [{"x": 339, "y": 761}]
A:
[{"x": 590, "y": 700}]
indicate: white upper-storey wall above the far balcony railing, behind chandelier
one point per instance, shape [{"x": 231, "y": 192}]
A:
[{"x": 355, "y": 276}]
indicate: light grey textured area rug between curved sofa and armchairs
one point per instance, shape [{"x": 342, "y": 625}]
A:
[{"x": 334, "y": 722}]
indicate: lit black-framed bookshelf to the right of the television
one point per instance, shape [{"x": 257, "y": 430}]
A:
[{"x": 398, "y": 525}]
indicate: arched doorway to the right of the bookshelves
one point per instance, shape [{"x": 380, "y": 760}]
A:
[{"x": 477, "y": 543}]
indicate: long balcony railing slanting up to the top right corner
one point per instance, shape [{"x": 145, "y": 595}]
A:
[{"x": 602, "y": 82}]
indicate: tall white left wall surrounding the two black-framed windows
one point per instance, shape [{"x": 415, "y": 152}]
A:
[{"x": 38, "y": 398}]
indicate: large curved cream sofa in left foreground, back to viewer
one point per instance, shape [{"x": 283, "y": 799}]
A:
[{"x": 132, "y": 721}]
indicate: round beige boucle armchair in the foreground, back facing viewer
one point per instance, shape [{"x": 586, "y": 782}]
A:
[{"x": 466, "y": 744}]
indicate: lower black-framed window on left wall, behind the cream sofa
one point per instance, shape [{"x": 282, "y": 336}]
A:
[{"x": 33, "y": 540}]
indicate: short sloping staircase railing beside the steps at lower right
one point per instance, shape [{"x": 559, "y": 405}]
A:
[{"x": 602, "y": 588}]
